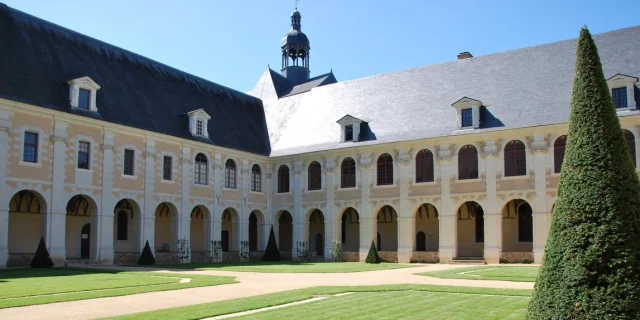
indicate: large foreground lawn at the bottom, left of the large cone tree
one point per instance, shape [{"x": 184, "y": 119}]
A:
[{"x": 379, "y": 302}]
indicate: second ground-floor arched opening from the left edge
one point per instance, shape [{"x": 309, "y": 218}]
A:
[{"x": 80, "y": 229}]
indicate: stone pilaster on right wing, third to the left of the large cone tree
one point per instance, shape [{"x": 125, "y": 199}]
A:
[{"x": 448, "y": 215}]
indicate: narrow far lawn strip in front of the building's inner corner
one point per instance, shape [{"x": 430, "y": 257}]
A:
[{"x": 289, "y": 267}]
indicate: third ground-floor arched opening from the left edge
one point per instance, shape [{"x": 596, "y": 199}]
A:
[{"x": 126, "y": 237}]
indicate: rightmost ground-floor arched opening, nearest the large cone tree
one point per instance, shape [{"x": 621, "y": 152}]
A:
[{"x": 517, "y": 231}]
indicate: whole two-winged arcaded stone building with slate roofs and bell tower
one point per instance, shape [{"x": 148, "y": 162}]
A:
[{"x": 103, "y": 150}]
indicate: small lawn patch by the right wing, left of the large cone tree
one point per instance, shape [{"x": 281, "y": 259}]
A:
[{"x": 506, "y": 273}]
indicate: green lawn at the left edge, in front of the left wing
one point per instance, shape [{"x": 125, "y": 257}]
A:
[{"x": 22, "y": 287}]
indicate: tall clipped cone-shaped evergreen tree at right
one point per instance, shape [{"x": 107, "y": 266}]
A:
[{"x": 591, "y": 267}]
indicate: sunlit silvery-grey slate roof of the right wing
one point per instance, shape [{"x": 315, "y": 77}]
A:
[{"x": 519, "y": 88}]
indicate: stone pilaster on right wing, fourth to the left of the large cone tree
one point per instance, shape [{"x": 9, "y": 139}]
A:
[{"x": 406, "y": 218}]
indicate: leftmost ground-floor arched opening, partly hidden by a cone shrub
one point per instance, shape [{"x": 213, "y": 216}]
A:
[{"x": 27, "y": 224}]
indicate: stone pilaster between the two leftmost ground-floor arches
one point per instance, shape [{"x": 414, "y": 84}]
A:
[{"x": 56, "y": 217}]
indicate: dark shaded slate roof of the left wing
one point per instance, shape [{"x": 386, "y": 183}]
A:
[{"x": 37, "y": 58}]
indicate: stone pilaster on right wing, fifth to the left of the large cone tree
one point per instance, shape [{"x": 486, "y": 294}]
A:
[{"x": 368, "y": 222}]
